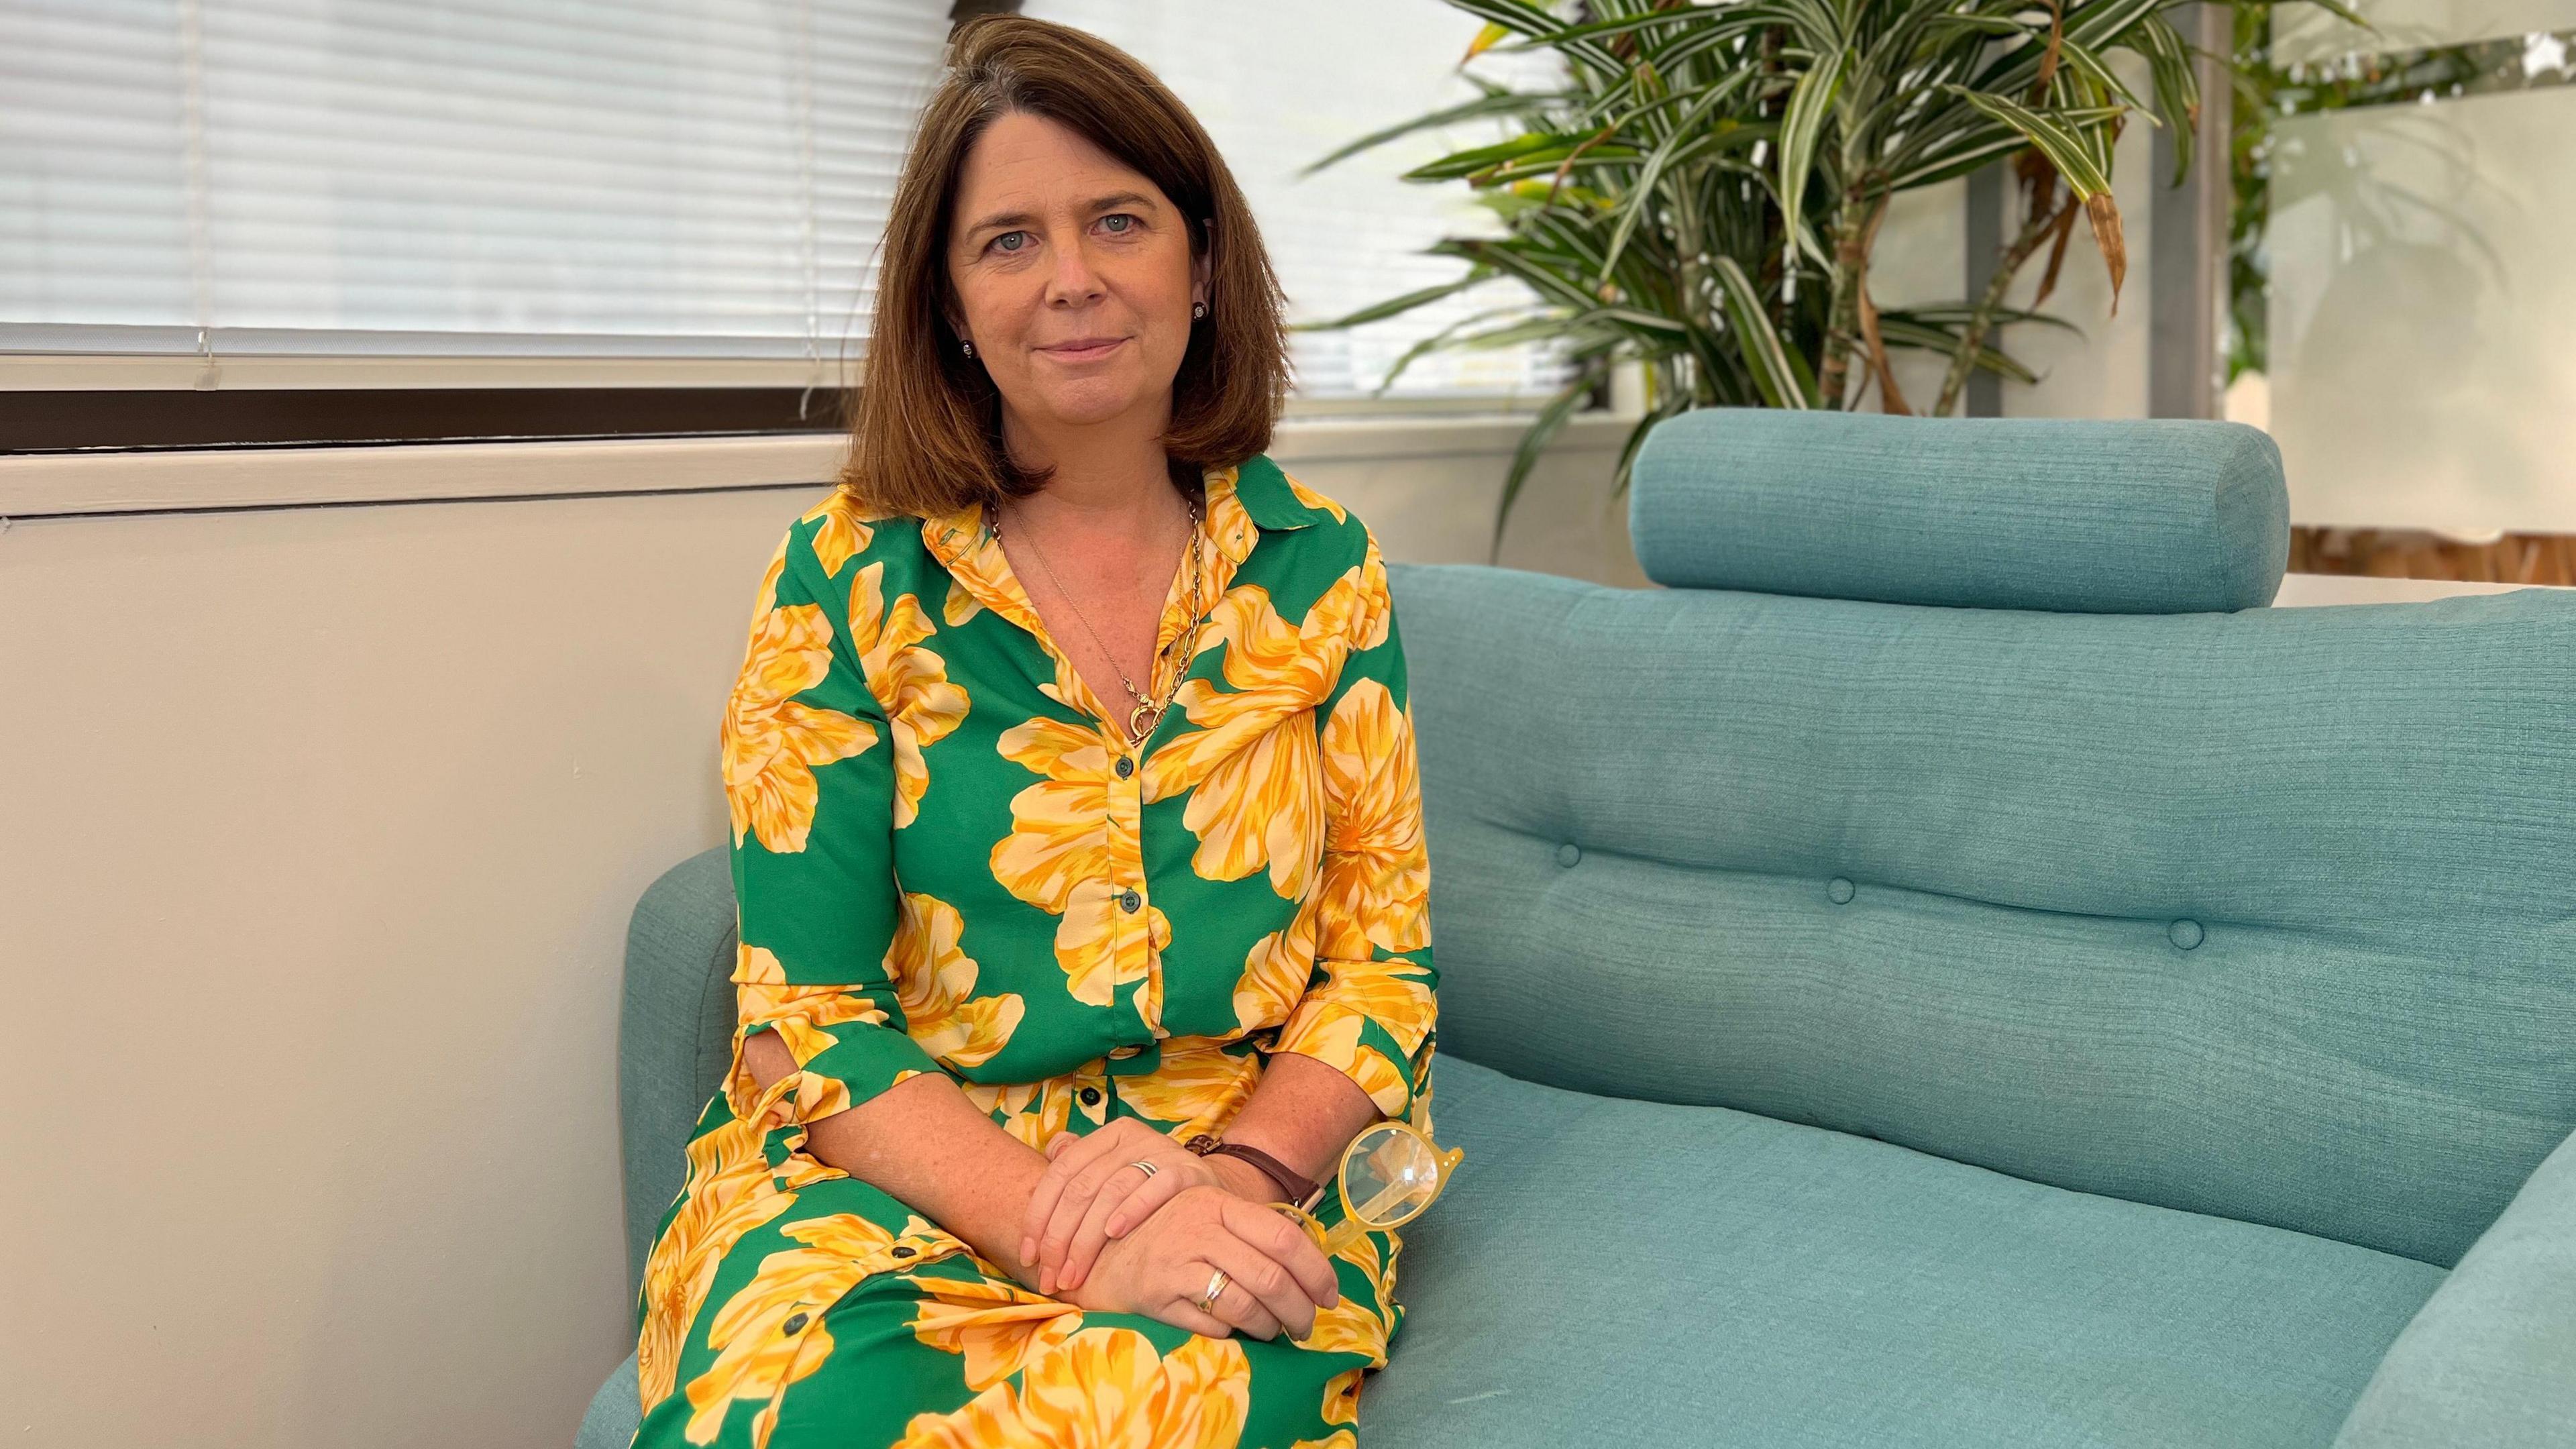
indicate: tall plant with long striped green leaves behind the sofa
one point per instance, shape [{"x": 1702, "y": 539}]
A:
[{"x": 1704, "y": 190}]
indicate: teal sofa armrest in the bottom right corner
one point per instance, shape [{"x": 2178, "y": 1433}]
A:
[{"x": 2492, "y": 1355}]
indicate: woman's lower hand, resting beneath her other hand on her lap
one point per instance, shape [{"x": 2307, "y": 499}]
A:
[{"x": 1276, "y": 1278}]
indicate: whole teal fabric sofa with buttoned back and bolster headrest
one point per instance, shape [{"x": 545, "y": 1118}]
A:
[{"x": 1951, "y": 968}]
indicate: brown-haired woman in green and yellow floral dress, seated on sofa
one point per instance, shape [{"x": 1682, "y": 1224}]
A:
[{"x": 1075, "y": 829}]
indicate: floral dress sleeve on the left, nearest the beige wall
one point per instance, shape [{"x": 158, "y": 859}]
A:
[{"x": 810, "y": 783}]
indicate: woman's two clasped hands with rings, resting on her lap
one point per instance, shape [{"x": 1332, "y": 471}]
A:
[{"x": 1101, "y": 1234}]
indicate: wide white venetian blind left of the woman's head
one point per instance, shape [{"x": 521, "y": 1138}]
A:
[{"x": 576, "y": 179}]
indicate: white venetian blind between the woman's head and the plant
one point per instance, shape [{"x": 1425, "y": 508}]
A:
[{"x": 1287, "y": 84}]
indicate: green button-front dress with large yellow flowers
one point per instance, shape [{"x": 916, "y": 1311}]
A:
[{"x": 947, "y": 862}]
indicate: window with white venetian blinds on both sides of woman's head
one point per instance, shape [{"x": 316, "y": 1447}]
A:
[{"x": 403, "y": 220}]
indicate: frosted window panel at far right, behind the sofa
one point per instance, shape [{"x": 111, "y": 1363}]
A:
[{"x": 2402, "y": 282}]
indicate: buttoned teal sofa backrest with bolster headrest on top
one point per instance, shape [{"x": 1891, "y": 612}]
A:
[{"x": 2266, "y": 914}]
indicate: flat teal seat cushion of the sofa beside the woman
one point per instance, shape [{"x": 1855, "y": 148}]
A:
[{"x": 1624, "y": 1272}]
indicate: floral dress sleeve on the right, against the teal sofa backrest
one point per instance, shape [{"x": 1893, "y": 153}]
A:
[{"x": 1372, "y": 1002}]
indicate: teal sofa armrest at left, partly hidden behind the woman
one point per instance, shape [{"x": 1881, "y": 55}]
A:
[{"x": 676, "y": 1033}]
